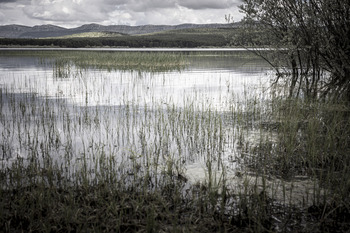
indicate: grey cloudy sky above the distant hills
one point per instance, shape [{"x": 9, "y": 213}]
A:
[{"x": 73, "y": 13}]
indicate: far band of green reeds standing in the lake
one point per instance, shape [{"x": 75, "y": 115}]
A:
[{"x": 62, "y": 61}]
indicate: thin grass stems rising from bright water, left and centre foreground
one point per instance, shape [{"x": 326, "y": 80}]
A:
[{"x": 71, "y": 168}]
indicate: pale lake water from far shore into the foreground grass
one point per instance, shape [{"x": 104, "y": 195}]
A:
[{"x": 176, "y": 121}]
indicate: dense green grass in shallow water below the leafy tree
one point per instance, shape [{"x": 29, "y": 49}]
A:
[{"x": 304, "y": 145}]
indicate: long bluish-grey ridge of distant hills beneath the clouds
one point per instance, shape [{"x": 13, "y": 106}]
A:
[{"x": 49, "y": 31}]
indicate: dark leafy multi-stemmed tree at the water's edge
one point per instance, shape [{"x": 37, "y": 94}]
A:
[{"x": 310, "y": 38}]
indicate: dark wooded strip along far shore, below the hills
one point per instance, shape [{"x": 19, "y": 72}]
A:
[{"x": 178, "y": 38}]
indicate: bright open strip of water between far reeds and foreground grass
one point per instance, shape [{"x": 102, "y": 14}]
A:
[{"x": 210, "y": 77}]
